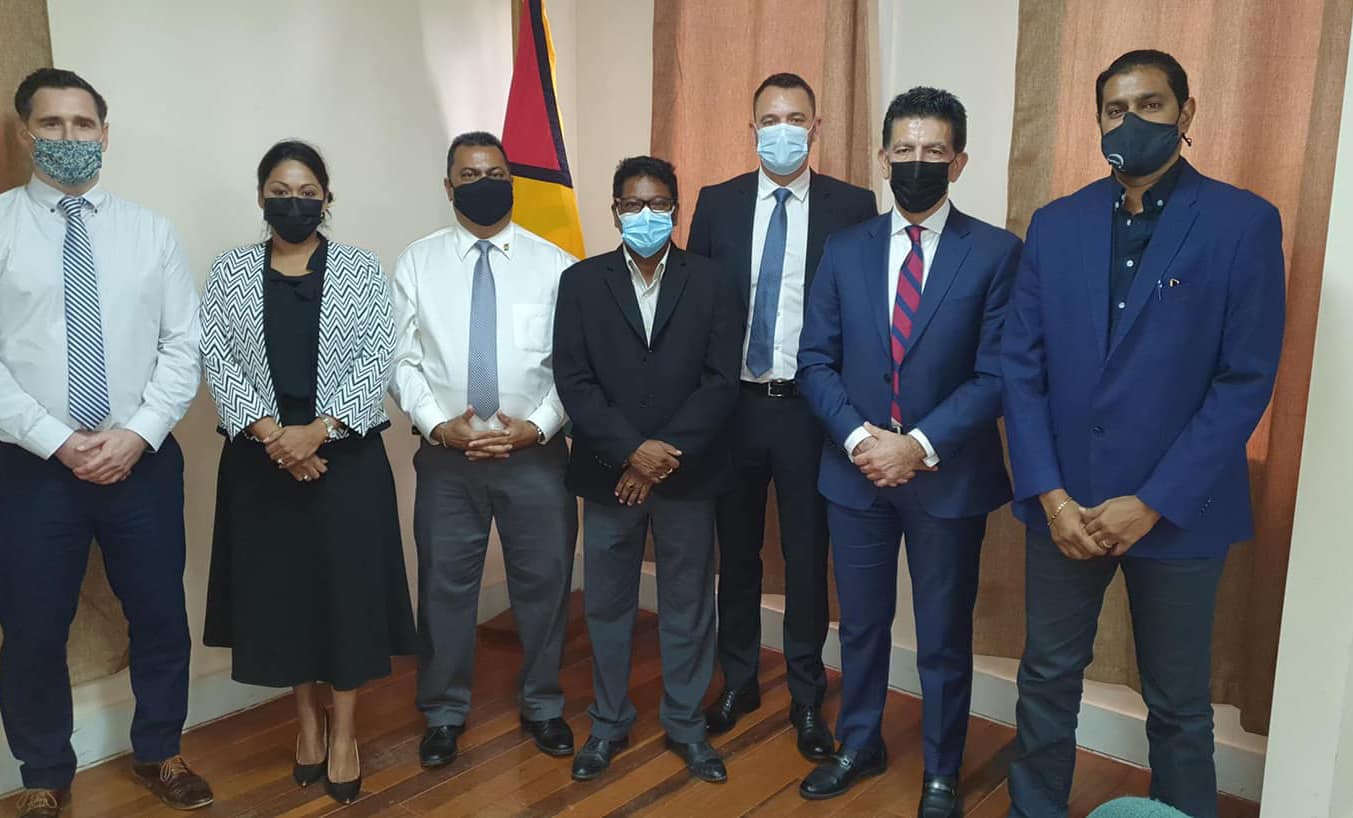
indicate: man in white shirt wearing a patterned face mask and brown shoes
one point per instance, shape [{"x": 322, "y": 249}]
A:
[{"x": 98, "y": 363}]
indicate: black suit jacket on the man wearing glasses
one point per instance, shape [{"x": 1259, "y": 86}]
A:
[{"x": 620, "y": 390}]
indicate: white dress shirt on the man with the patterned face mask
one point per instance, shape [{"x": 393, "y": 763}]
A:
[{"x": 148, "y": 304}]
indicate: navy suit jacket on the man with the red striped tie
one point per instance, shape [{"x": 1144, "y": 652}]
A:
[{"x": 950, "y": 378}]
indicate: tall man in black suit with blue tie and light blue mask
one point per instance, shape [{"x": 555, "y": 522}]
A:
[{"x": 766, "y": 231}]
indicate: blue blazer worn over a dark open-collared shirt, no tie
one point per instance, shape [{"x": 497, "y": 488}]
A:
[{"x": 1164, "y": 408}]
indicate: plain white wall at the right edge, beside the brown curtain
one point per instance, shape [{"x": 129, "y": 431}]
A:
[{"x": 1310, "y": 765}]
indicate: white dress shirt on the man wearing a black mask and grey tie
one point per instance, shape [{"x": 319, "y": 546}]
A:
[{"x": 434, "y": 285}]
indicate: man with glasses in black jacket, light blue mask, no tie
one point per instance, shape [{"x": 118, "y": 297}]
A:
[{"x": 646, "y": 362}]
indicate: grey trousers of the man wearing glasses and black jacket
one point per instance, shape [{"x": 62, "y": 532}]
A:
[{"x": 614, "y": 554}]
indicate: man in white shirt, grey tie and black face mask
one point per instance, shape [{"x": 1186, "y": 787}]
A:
[{"x": 474, "y": 316}]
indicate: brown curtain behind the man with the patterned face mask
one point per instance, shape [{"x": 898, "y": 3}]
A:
[{"x": 99, "y": 636}]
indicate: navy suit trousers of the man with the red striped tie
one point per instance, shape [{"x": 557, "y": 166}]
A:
[{"x": 944, "y": 558}]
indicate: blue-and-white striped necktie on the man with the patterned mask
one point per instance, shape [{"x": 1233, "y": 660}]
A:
[{"x": 87, "y": 370}]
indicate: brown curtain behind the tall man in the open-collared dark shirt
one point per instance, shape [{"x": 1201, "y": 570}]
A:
[{"x": 1268, "y": 76}]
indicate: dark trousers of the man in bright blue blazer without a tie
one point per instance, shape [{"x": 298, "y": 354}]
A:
[{"x": 1172, "y": 605}]
